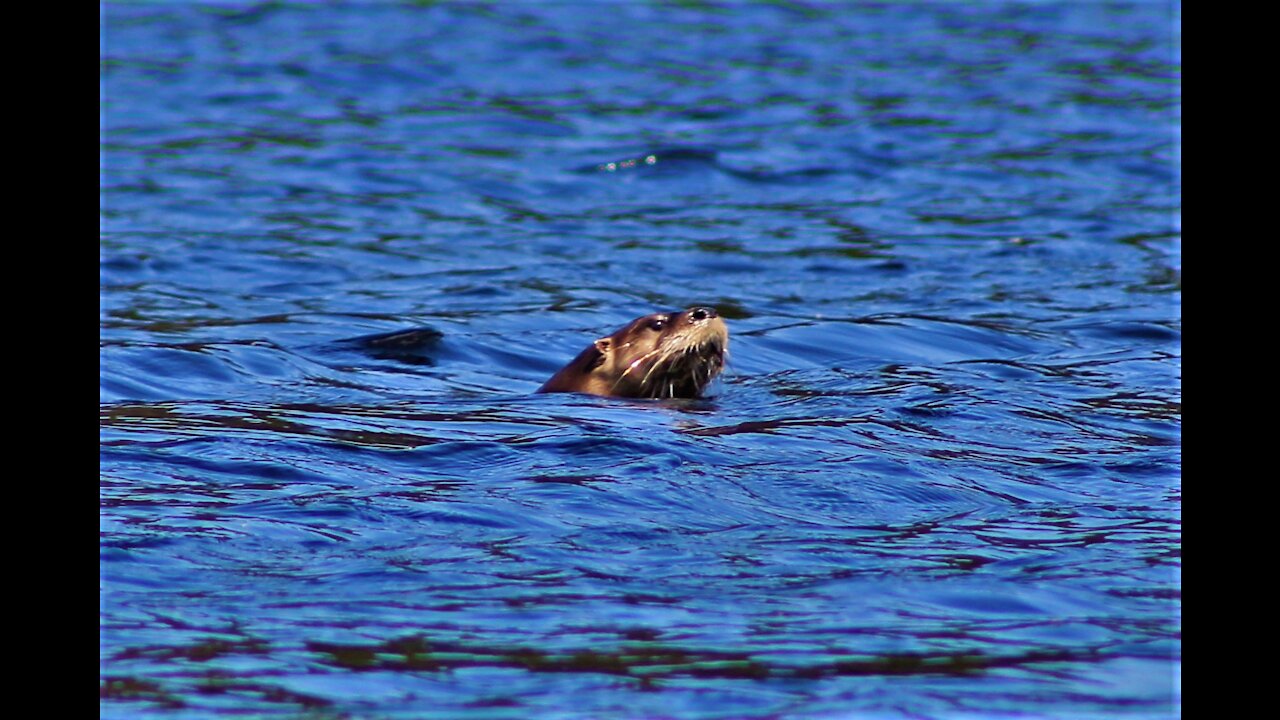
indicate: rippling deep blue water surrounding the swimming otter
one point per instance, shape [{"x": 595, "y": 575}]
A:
[{"x": 940, "y": 479}]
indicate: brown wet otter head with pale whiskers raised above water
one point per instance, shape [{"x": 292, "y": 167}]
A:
[{"x": 660, "y": 356}]
